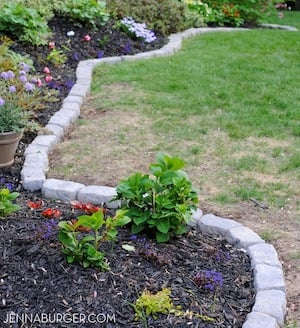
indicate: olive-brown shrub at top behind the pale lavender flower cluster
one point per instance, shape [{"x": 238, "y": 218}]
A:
[{"x": 165, "y": 16}]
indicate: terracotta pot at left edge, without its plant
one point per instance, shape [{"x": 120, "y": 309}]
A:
[{"x": 8, "y": 145}]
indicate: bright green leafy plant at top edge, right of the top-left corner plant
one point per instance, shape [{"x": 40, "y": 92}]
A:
[{"x": 85, "y": 12}]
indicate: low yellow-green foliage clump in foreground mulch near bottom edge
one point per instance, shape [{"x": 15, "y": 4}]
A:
[{"x": 152, "y": 304}]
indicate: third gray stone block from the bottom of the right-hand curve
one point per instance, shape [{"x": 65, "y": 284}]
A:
[{"x": 268, "y": 277}]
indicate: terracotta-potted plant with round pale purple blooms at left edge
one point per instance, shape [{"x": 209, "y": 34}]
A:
[{"x": 17, "y": 92}]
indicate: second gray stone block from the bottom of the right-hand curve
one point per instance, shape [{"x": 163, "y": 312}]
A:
[{"x": 272, "y": 303}]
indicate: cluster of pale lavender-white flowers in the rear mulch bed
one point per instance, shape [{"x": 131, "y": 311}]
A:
[{"x": 137, "y": 30}]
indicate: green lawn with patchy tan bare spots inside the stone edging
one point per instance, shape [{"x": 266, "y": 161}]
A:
[{"x": 227, "y": 103}]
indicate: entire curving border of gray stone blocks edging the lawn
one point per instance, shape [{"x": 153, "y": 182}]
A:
[{"x": 270, "y": 305}]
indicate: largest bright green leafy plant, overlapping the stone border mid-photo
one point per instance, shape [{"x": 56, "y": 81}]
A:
[{"x": 160, "y": 203}]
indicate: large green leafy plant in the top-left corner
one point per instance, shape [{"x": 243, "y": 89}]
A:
[{"x": 23, "y": 23}]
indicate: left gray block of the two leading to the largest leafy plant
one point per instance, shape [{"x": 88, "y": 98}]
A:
[{"x": 60, "y": 189}]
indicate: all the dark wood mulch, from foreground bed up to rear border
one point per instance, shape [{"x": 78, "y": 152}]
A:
[{"x": 34, "y": 275}]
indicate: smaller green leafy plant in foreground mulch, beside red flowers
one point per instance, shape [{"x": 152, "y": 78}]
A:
[{"x": 81, "y": 239}]
